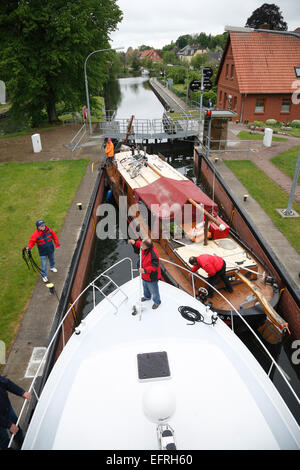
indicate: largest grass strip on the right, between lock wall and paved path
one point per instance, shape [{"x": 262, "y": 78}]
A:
[{"x": 269, "y": 196}]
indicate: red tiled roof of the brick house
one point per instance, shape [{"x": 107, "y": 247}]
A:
[{"x": 264, "y": 61}]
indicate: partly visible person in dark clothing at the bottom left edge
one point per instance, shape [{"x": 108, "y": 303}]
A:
[{"x": 8, "y": 416}]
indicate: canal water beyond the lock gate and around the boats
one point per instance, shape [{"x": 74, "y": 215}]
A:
[{"x": 133, "y": 96}]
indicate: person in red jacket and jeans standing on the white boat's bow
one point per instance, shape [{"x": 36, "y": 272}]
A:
[{"x": 150, "y": 270}]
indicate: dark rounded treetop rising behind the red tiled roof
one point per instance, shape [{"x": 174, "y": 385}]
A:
[{"x": 268, "y": 14}]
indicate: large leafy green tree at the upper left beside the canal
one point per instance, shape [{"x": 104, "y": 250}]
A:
[{"x": 43, "y": 48}]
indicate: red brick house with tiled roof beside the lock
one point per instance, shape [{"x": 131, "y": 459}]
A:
[{"x": 258, "y": 74}]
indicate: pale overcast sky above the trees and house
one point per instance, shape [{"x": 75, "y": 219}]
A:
[{"x": 158, "y": 22}]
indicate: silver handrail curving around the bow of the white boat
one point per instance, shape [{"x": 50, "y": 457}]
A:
[{"x": 103, "y": 274}]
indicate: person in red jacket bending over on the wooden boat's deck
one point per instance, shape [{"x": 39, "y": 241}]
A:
[{"x": 215, "y": 267}]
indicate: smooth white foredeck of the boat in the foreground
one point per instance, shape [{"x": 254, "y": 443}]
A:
[{"x": 93, "y": 398}]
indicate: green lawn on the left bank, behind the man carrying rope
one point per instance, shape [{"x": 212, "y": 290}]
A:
[{"x": 30, "y": 191}]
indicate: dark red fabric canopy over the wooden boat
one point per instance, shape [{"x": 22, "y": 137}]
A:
[{"x": 171, "y": 195}]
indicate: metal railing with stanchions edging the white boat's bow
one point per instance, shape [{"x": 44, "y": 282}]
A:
[{"x": 60, "y": 328}]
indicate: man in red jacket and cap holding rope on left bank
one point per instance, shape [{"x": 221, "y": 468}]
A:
[{"x": 43, "y": 237}]
